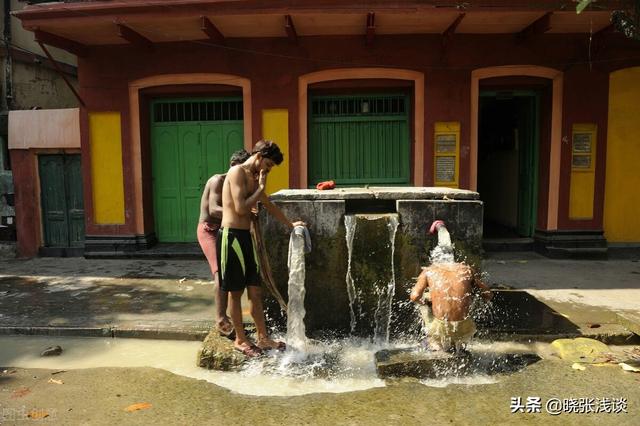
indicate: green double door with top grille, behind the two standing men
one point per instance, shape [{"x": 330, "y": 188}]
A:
[{"x": 191, "y": 139}]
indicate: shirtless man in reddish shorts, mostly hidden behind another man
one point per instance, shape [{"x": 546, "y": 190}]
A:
[{"x": 208, "y": 225}]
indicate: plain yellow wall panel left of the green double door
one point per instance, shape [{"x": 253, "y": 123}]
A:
[{"x": 106, "y": 167}]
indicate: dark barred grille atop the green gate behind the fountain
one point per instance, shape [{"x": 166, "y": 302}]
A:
[{"x": 365, "y": 106}]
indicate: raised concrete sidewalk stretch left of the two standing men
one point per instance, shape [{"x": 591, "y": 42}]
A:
[{"x": 117, "y": 298}]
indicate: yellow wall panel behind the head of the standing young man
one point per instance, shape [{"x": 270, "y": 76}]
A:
[{"x": 275, "y": 126}]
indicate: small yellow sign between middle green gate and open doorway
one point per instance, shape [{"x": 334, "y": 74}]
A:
[{"x": 446, "y": 156}]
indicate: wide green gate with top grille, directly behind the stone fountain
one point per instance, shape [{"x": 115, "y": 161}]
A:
[{"x": 359, "y": 140}]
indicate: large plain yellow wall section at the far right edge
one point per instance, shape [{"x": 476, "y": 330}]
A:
[{"x": 622, "y": 184}]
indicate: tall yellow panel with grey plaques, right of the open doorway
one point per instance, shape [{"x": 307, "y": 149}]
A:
[{"x": 583, "y": 171}]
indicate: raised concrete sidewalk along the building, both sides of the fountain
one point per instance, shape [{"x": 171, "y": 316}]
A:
[{"x": 174, "y": 298}]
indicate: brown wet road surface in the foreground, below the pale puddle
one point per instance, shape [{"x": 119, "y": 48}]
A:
[{"x": 172, "y": 399}]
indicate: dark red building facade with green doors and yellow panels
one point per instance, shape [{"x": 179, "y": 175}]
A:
[{"x": 532, "y": 106}]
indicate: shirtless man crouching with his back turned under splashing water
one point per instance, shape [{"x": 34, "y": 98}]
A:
[{"x": 451, "y": 286}]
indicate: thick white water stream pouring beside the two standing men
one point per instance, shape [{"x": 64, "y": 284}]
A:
[{"x": 296, "y": 332}]
